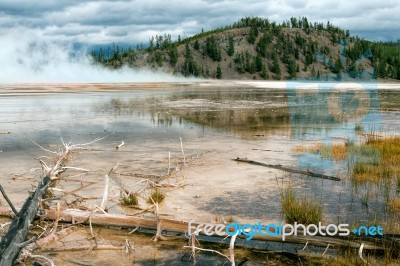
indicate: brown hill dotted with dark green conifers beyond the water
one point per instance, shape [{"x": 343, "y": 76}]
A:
[{"x": 255, "y": 48}]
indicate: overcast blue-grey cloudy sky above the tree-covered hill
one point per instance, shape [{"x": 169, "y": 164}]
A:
[{"x": 53, "y": 26}]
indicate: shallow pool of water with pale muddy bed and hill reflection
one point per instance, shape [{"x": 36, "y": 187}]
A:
[{"x": 215, "y": 124}]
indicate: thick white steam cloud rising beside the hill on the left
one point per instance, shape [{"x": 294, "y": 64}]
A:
[{"x": 29, "y": 57}]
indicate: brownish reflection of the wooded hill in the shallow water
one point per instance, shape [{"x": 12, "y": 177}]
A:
[{"x": 247, "y": 111}]
